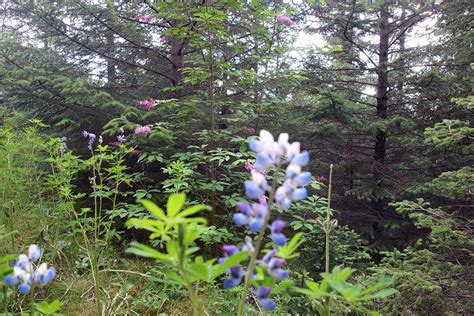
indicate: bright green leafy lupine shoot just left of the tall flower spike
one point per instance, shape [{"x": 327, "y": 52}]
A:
[{"x": 179, "y": 231}]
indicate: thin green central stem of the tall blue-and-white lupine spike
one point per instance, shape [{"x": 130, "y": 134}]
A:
[{"x": 258, "y": 244}]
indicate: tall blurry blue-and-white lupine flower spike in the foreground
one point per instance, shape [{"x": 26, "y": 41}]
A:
[{"x": 270, "y": 155}]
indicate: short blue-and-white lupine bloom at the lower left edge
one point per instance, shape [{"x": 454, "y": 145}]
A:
[{"x": 26, "y": 274}]
